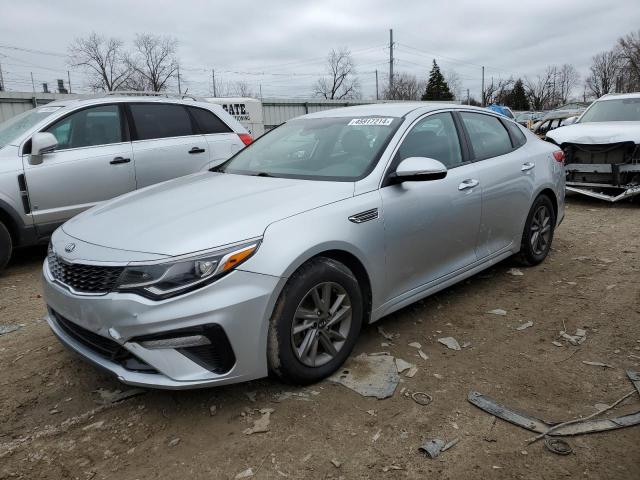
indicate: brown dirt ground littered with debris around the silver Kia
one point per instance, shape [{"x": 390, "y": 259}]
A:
[{"x": 51, "y": 425}]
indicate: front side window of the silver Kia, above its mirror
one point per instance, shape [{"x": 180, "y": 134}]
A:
[{"x": 435, "y": 137}]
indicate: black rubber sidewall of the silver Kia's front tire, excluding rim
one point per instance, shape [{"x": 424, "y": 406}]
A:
[{"x": 282, "y": 358}]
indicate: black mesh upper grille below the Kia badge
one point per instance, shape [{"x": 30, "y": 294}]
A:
[{"x": 81, "y": 277}]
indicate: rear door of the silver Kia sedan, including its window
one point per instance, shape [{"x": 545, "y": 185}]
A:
[{"x": 507, "y": 177}]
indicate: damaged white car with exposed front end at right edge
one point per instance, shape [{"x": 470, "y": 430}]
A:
[{"x": 602, "y": 149}]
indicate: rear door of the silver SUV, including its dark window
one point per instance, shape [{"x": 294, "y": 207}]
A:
[{"x": 166, "y": 143}]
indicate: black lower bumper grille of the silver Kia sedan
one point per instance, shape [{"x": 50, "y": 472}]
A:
[{"x": 103, "y": 346}]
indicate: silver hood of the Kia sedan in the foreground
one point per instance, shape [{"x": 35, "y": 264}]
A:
[{"x": 200, "y": 212}]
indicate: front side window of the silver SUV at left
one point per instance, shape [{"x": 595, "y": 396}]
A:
[{"x": 88, "y": 127}]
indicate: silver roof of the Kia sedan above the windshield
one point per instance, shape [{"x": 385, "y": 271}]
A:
[{"x": 396, "y": 109}]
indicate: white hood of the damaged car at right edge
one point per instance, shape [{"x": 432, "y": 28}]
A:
[{"x": 595, "y": 133}]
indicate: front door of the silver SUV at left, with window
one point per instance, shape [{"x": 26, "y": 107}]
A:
[{"x": 92, "y": 163}]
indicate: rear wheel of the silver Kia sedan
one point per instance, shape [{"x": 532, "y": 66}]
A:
[{"x": 535, "y": 246}]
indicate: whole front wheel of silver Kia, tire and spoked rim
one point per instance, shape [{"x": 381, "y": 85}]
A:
[{"x": 285, "y": 350}]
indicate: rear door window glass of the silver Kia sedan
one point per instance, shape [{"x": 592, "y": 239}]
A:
[{"x": 488, "y": 136}]
